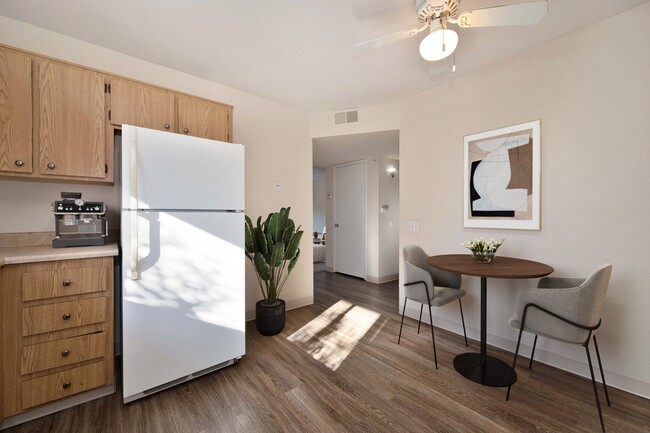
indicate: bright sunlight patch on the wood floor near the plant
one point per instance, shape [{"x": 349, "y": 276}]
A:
[{"x": 330, "y": 337}]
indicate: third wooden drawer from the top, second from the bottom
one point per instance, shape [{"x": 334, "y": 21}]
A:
[{"x": 43, "y": 356}]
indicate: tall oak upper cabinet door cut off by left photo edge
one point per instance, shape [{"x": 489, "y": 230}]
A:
[{"x": 15, "y": 112}]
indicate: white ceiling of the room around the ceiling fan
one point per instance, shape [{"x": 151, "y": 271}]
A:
[{"x": 298, "y": 53}]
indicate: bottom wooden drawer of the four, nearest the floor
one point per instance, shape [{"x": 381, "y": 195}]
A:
[{"x": 63, "y": 384}]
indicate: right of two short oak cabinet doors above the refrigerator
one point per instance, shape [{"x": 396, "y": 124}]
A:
[{"x": 201, "y": 118}]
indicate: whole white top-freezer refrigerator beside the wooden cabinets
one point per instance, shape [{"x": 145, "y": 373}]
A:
[{"x": 182, "y": 232}]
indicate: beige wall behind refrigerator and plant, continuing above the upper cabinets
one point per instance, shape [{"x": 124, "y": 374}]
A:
[{"x": 272, "y": 133}]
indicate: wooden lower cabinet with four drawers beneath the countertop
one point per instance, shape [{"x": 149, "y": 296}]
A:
[{"x": 57, "y": 331}]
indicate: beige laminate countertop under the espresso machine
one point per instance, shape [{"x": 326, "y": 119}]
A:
[{"x": 46, "y": 253}]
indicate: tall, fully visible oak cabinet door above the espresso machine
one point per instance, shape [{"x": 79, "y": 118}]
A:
[{"x": 71, "y": 121}]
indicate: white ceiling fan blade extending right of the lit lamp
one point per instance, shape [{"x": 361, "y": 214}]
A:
[{"x": 521, "y": 14}]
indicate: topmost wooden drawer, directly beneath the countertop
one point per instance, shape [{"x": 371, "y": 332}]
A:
[{"x": 53, "y": 283}]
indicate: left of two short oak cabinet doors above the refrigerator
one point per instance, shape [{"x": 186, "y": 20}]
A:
[{"x": 140, "y": 105}]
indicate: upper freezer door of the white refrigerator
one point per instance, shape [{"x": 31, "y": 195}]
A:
[{"x": 162, "y": 170}]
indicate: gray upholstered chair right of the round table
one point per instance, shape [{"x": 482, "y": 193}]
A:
[{"x": 565, "y": 309}]
